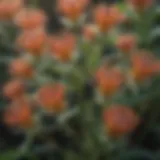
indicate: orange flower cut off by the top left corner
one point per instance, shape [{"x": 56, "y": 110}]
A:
[{"x": 8, "y": 8}]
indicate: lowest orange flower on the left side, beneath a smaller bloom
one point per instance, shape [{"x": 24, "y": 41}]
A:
[{"x": 19, "y": 114}]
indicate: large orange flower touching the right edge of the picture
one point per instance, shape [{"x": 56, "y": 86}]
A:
[{"x": 144, "y": 65}]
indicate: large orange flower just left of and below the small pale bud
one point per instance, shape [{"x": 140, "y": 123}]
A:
[{"x": 63, "y": 47}]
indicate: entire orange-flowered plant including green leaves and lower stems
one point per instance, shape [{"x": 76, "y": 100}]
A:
[{"x": 68, "y": 84}]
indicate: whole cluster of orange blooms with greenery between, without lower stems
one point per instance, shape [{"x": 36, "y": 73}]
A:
[{"x": 76, "y": 52}]
